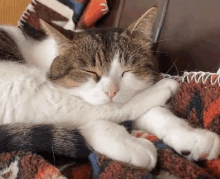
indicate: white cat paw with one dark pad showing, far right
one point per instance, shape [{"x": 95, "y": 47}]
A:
[{"x": 196, "y": 144}]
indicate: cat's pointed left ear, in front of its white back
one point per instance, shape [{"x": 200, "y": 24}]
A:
[{"x": 62, "y": 42}]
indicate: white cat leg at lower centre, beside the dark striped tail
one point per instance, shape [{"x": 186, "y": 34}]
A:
[{"x": 113, "y": 141}]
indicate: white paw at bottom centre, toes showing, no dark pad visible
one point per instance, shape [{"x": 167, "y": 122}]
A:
[{"x": 142, "y": 153}]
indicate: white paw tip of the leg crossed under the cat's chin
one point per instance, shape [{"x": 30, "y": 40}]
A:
[{"x": 168, "y": 83}]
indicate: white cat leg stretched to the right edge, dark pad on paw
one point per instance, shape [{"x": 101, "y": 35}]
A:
[{"x": 193, "y": 143}]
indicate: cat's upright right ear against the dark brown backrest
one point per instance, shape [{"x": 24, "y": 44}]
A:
[{"x": 145, "y": 22}]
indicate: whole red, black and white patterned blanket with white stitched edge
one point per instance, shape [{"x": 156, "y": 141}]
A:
[{"x": 197, "y": 98}]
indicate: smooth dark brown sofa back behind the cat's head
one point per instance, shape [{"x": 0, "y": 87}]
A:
[{"x": 190, "y": 35}]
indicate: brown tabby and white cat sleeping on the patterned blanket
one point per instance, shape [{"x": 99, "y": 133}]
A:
[{"x": 96, "y": 81}]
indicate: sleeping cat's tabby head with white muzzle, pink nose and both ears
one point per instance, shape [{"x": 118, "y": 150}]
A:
[{"x": 105, "y": 66}]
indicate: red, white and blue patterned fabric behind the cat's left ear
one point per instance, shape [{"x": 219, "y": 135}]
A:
[{"x": 66, "y": 14}]
